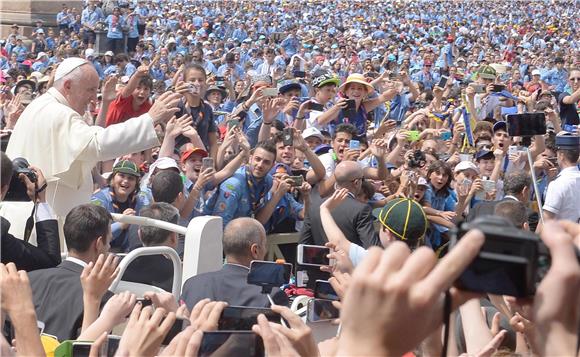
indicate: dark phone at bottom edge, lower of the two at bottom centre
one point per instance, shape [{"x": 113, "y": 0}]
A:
[{"x": 227, "y": 343}]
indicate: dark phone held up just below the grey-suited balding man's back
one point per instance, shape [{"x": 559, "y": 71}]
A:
[{"x": 241, "y": 318}]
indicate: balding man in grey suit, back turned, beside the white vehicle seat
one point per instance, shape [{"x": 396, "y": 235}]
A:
[{"x": 244, "y": 240}]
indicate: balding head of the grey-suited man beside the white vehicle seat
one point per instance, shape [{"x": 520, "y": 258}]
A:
[{"x": 239, "y": 236}]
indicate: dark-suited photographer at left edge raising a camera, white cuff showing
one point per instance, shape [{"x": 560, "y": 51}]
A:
[{"x": 25, "y": 255}]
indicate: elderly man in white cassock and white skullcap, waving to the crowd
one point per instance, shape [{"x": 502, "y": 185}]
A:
[{"x": 52, "y": 135}]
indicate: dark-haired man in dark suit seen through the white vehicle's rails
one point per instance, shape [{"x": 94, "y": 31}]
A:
[{"x": 155, "y": 270}]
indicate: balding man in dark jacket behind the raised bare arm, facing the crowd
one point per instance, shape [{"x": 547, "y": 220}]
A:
[{"x": 353, "y": 217}]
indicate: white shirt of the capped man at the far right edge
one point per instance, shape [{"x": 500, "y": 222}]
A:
[{"x": 561, "y": 199}]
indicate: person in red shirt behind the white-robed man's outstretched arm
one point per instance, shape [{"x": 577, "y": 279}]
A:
[{"x": 133, "y": 100}]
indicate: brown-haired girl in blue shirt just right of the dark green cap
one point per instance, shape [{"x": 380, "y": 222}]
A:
[{"x": 439, "y": 203}]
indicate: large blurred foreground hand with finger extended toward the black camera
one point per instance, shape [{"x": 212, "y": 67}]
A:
[{"x": 393, "y": 285}]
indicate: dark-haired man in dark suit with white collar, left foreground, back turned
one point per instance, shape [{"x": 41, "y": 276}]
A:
[{"x": 57, "y": 292}]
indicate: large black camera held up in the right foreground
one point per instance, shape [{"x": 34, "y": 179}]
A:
[{"x": 511, "y": 261}]
